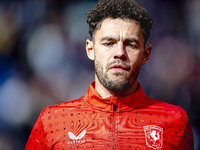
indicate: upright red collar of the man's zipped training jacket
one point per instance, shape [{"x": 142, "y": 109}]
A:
[{"x": 132, "y": 101}]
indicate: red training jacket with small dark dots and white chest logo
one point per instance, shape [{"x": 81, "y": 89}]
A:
[{"x": 118, "y": 123}]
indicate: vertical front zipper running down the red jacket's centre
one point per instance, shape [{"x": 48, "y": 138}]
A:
[{"x": 114, "y": 127}]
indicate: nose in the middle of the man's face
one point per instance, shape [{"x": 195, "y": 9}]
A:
[{"x": 120, "y": 52}]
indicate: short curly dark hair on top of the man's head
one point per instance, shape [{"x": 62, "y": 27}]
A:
[{"x": 124, "y": 9}]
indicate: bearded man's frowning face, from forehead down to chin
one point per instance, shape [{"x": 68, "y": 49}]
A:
[{"x": 119, "y": 53}]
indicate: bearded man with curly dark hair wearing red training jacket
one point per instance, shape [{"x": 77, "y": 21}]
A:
[{"x": 115, "y": 113}]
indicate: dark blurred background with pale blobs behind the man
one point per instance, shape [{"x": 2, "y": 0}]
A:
[{"x": 43, "y": 60}]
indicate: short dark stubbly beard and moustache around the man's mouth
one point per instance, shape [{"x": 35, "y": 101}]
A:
[{"x": 116, "y": 81}]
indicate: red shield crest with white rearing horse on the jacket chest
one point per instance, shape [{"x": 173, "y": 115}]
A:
[{"x": 153, "y": 136}]
